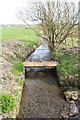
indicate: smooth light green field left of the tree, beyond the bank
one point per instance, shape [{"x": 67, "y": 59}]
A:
[{"x": 20, "y": 33}]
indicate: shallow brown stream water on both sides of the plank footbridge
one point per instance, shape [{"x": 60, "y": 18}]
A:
[{"x": 41, "y": 96}]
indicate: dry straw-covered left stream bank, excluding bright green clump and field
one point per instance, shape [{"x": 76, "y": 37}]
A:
[{"x": 12, "y": 78}]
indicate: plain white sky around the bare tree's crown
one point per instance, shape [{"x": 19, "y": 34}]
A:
[{"x": 8, "y": 10}]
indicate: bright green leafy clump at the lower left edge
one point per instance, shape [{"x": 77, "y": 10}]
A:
[{"x": 7, "y": 103}]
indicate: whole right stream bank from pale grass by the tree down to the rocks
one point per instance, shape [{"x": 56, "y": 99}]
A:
[{"x": 68, "y": 68}]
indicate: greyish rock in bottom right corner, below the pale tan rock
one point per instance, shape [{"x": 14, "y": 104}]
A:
[{"x": 73, "y": 110}]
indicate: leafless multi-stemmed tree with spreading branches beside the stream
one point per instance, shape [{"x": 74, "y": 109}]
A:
[{"x": 56, "y": 19}]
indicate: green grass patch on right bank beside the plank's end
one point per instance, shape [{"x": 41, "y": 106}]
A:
[{"x": 67, "y": 65}]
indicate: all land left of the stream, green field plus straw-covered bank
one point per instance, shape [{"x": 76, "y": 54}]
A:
[{"x": 14, "y": 43}]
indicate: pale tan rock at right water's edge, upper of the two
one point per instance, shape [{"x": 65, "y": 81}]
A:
[{"x": 72, "y": 94}]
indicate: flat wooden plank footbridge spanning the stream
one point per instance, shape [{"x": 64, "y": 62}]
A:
[{"x": 40, "y": 64}]
